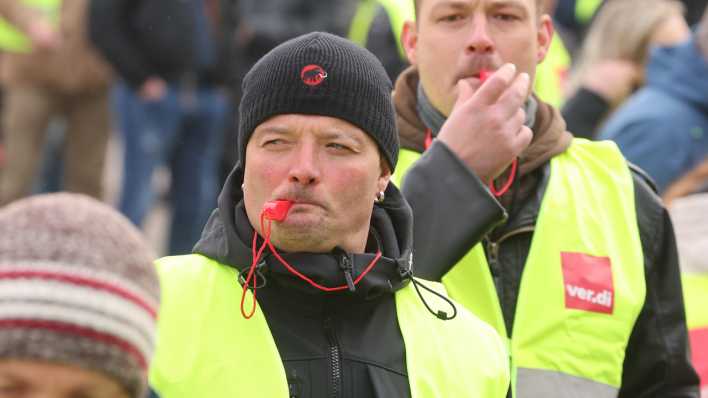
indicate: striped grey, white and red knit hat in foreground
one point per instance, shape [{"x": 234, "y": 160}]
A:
[{"x": 77, "y": 287}]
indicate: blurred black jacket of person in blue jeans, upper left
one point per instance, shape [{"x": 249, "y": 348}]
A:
[{"x": 144, "y": 38}]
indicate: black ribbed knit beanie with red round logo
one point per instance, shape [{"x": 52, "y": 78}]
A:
[{"x": 321, "y": 74}]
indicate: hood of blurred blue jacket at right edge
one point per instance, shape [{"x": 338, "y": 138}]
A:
[{"x": 680, "y": 71}]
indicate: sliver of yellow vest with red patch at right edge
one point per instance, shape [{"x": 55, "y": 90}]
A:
[{"x": 695, "y": 291}]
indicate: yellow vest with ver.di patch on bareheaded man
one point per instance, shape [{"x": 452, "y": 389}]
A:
[{"x": 583, "y": 284}]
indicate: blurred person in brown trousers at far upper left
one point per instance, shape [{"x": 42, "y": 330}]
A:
[{"x": 50, "y": 69}]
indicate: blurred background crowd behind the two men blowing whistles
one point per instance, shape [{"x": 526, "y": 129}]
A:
[{"x": 152, "y": 86}]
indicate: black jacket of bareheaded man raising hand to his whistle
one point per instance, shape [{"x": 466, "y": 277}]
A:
[{"x": 656, "y": 363}]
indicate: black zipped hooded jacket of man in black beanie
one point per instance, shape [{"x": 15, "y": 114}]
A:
[{"x": 341, "y": 344}]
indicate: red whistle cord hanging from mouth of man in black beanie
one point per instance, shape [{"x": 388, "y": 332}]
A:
[{"x": 256, "y": 255}]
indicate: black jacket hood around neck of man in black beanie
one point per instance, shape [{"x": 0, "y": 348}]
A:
[{"x": 228, "y": 235}]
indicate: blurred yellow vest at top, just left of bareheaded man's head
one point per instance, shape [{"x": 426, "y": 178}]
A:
[{"x": 398, "y": 11}]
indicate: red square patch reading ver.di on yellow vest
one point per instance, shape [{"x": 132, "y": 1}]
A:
[{"x": 587, "y": 281}]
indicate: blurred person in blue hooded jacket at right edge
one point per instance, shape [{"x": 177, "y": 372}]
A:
[{"x": 663, "y": 128}]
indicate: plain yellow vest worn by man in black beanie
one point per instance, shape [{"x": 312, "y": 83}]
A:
[{"x": 205, "y": 348}]
